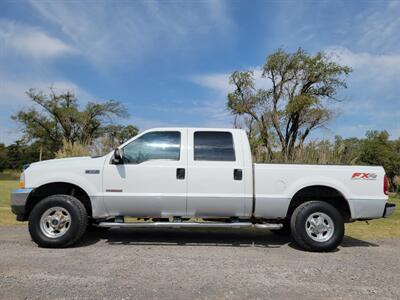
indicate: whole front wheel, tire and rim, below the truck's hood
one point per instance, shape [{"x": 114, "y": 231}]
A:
[{"x": 57, "y": 221}]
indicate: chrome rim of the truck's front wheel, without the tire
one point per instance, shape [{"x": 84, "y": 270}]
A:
[{"x": 55, "y": 222}]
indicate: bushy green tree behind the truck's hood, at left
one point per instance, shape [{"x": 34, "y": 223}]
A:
[{"x": 56, "y": 117}]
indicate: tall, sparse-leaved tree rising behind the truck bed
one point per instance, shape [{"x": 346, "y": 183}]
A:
[{"x": 302, "y": 87}]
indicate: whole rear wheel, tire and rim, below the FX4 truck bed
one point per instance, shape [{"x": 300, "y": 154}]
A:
[{"x": 317, "y": 226}]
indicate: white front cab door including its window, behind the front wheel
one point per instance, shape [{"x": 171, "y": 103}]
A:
[{"x": 152, "y": 180}]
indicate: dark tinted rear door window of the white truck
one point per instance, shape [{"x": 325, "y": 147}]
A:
[{"x": 213, "y": 146}]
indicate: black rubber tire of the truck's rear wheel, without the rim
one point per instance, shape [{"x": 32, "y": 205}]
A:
[{"x": 298, "y": 224}]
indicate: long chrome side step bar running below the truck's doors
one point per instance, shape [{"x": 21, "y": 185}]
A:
[{"x": 189, "y": 225}]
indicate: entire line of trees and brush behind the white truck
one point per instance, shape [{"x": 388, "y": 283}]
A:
[{"x": 300, "y": 96}]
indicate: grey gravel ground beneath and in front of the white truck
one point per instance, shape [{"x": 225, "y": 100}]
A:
[{"x": 195, "y": 264}]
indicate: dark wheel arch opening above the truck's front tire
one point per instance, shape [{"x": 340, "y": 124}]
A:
[{"x": 56, "y": 188}]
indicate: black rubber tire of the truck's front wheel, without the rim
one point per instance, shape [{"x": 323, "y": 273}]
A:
[{"x": 78, "y": 224}]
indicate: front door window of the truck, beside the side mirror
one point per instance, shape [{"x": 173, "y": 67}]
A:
[{"x": 153, "y": 145}]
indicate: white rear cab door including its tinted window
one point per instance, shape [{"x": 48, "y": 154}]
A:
[{"x": 216, "y": 185}]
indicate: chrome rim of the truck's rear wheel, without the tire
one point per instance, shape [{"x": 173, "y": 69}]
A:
[{"x": 320, "y": 227}]
